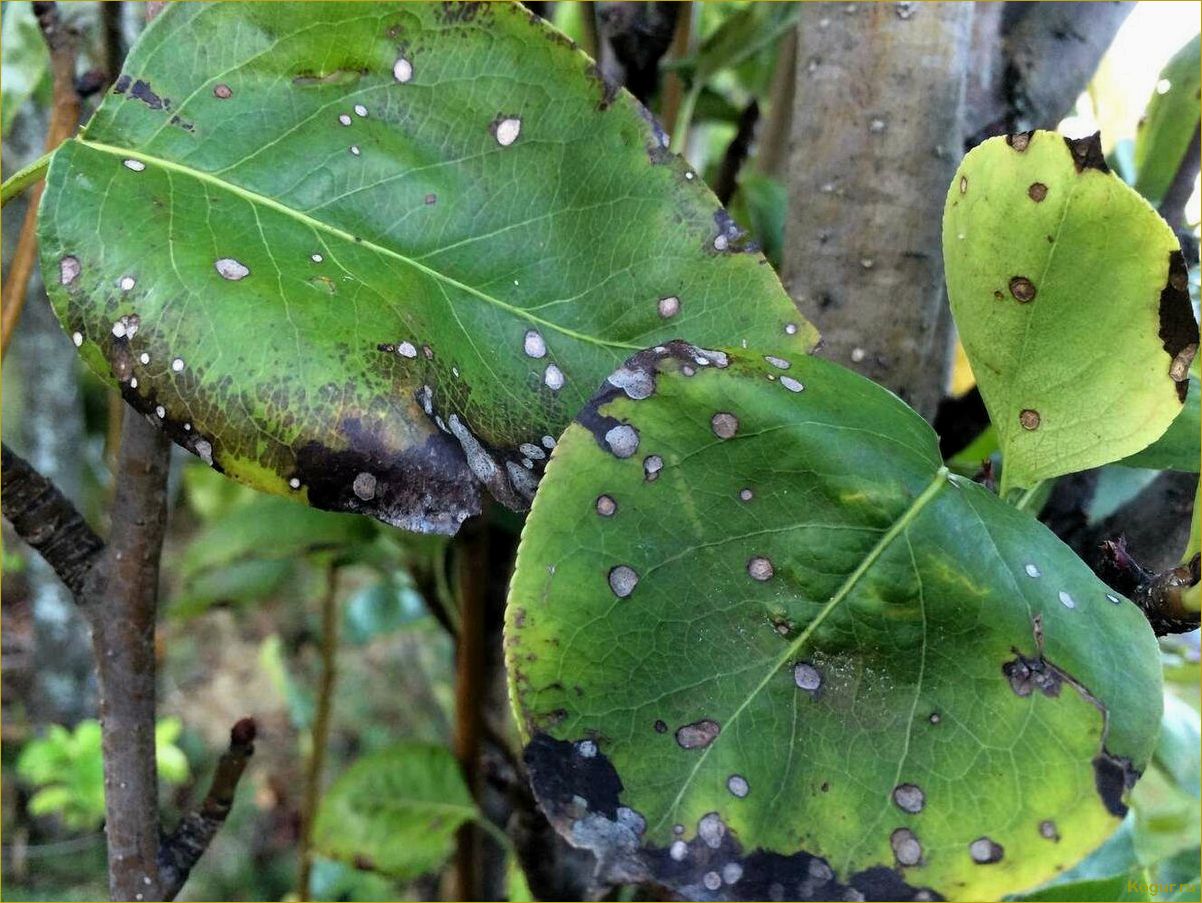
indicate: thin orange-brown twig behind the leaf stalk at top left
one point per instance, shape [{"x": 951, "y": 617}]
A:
[{"x": 64, "y": 120}]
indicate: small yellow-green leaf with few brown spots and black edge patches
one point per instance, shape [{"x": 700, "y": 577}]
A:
[{"x": 1072, "y": 298}]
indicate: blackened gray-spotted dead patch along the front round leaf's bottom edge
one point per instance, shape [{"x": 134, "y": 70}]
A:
[{"x": 582, "y": 794}]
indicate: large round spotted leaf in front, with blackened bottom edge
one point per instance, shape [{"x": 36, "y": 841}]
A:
[{"x": 763, "y": 646}]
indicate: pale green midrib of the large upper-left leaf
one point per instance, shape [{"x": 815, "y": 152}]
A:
[{"x": 318, "y": 225}]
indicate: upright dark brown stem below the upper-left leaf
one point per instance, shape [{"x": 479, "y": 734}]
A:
[{"x": 123, "y": 621}]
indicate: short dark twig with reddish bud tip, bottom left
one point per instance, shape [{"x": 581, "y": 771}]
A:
[{"x": 186, "y": 846}]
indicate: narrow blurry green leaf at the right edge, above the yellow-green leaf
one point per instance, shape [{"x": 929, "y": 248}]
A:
[{"x": 1169, "y": 123}]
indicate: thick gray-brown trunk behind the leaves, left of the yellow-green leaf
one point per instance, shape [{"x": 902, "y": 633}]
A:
[{"x": 877, "y": 138}]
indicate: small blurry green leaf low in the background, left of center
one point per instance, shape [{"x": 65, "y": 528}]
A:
[{"x": 396, "y": 811}]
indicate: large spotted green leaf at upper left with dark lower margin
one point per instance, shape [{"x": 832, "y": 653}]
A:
[{"x": 377, "y": 256}]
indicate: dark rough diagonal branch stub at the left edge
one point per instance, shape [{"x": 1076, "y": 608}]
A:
[{"x": 49, "y": 522}]
